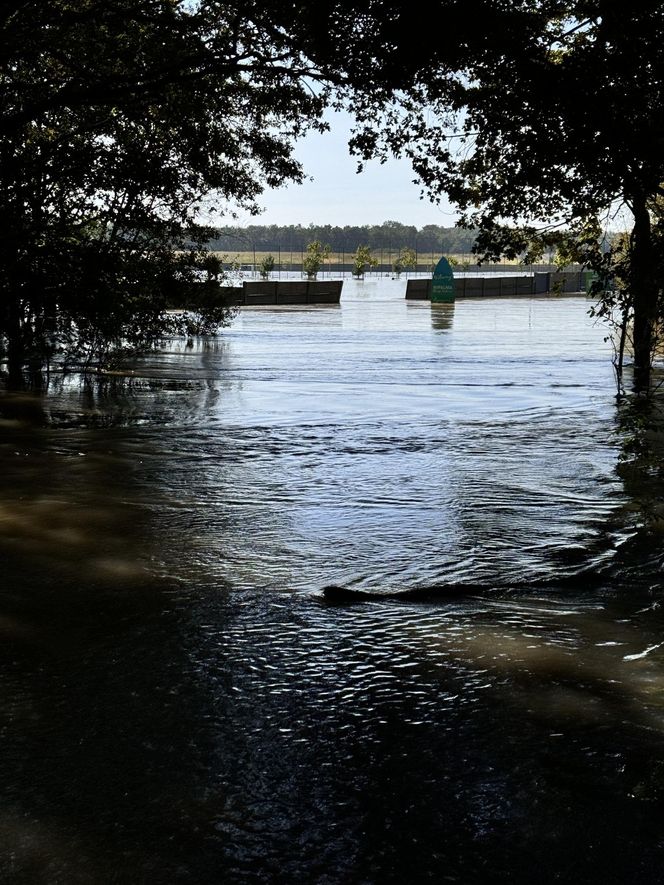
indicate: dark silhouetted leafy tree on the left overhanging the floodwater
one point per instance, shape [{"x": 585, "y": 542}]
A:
[{"x": 123, "y": 123}]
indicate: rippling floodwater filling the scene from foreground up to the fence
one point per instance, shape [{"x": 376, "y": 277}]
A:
[{"x": 177, "y": 702}]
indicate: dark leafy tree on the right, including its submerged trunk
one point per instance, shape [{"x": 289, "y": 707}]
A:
[{"x": 550, "y": 121}]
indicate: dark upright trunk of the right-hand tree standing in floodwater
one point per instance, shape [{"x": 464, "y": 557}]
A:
[{"x": 644, "y": 294}]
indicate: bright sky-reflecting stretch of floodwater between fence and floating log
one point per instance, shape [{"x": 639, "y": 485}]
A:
[{"x": 386, "y": 444}]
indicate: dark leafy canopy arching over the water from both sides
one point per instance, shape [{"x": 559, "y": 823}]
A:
[{"x": 122, "y": 120}]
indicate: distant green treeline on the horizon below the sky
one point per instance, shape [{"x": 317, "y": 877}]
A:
[{"x": 390, "y": 235}]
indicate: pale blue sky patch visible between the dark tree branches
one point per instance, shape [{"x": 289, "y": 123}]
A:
[{"x": 339, "y": 196}]
